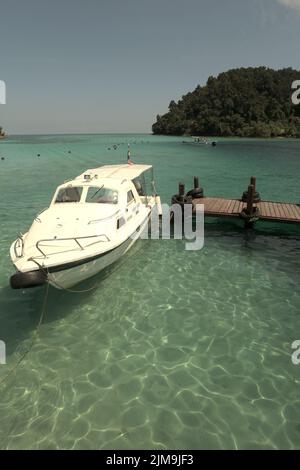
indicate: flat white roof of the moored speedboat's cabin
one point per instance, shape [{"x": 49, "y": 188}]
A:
[{"x": 126, "y": 171}]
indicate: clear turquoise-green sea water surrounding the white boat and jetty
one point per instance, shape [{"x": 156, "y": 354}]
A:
[{"x": 173, "y": 349}]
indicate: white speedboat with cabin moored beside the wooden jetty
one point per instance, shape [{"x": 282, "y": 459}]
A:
[{"x": 91, "y": 222}]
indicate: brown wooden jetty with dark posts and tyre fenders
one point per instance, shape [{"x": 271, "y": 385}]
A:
[{"x": 250, "y": 207}]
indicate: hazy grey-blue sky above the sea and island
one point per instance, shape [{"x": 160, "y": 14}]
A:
[{"x": 110, "y": 66}]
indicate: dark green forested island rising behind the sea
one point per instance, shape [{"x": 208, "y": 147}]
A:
[{"x": 244, "y": 102}]
